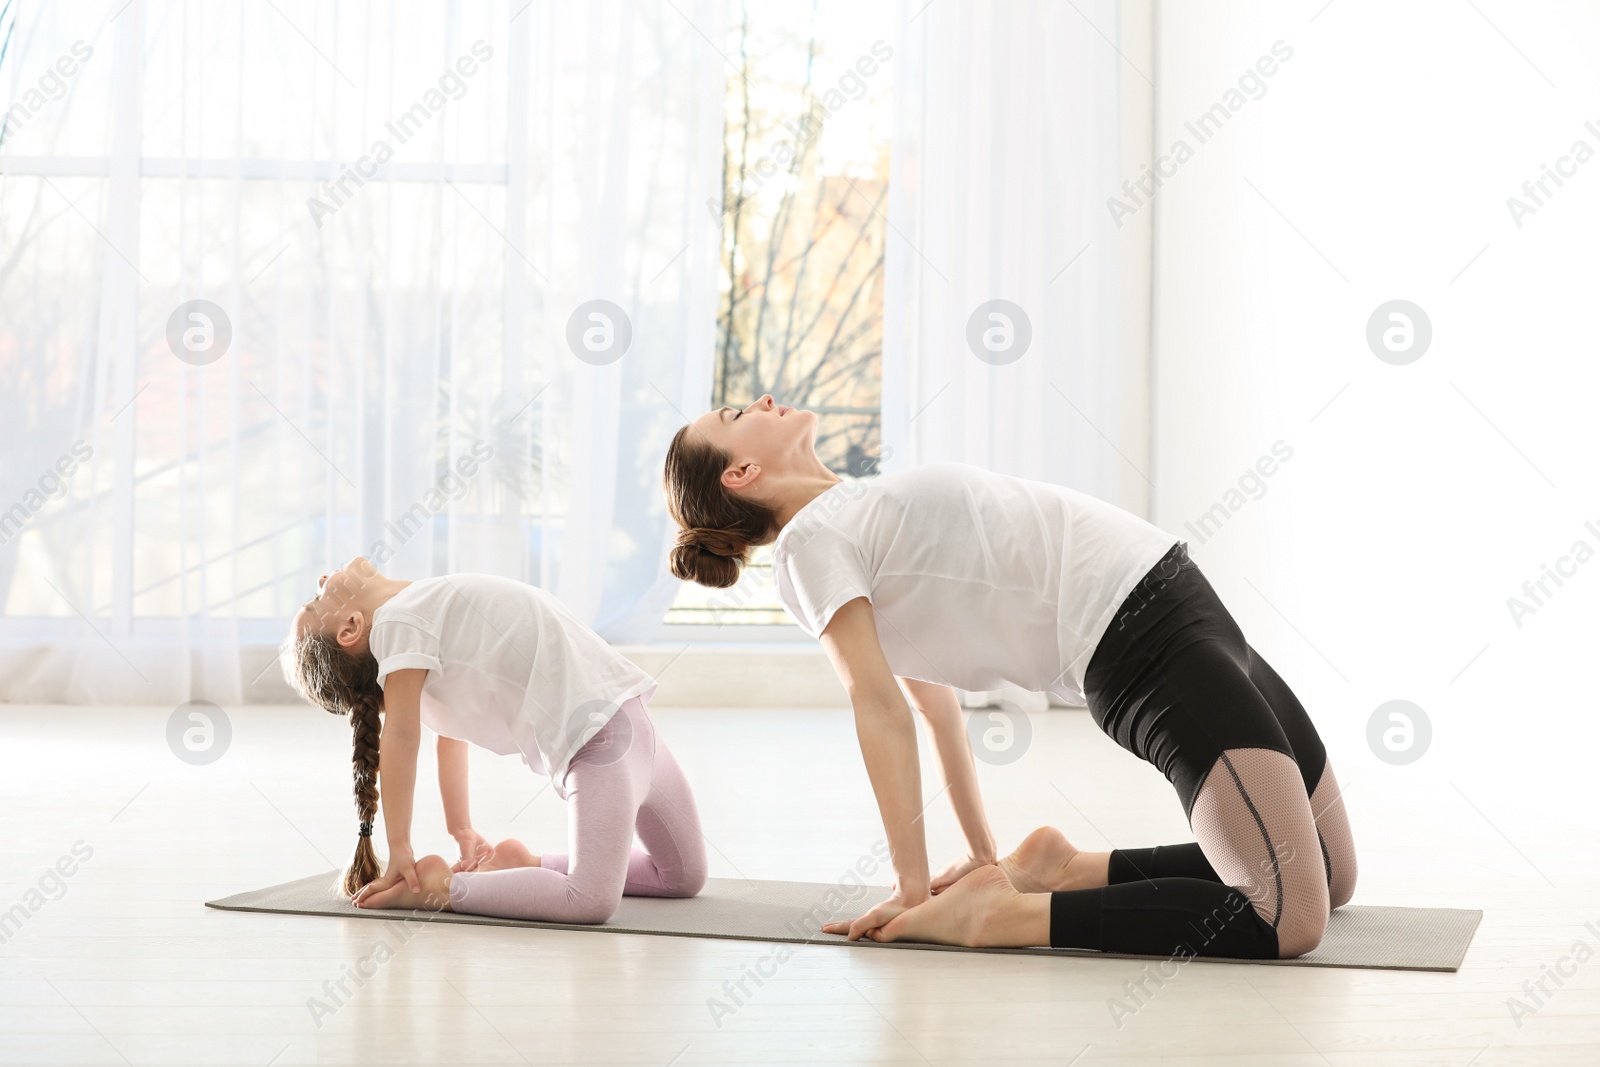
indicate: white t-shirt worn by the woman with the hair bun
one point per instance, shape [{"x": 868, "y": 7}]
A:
[{"x": 978, "y": 580}]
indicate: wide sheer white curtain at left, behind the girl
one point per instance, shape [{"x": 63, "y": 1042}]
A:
[{"x": 399, "y": 217}]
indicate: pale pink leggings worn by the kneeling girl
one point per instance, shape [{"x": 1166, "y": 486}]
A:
[{"x": 622, "y": 781}]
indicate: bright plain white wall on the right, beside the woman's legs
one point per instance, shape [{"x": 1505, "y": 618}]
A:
[{"x": 1380, "y": 561}]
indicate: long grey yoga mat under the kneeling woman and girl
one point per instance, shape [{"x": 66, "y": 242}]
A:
[{"x": 1398, "y": 938}]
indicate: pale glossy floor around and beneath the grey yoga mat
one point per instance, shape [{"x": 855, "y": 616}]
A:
[{"x": 119, "y": 962}]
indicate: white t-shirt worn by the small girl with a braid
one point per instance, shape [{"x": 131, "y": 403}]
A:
[{"x": 510, "y": 666}]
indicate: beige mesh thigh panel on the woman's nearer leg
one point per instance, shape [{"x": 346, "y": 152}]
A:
[{"x": 1255, "y": 825}]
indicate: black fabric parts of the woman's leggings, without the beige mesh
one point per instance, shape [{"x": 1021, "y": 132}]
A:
[{"x": 1175, "y": 682}]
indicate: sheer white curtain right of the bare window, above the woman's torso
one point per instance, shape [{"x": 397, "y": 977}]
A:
[{"x": 1006, "y": 151}]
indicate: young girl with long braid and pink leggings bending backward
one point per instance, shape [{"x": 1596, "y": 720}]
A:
[{"x": 505, "y": 666}]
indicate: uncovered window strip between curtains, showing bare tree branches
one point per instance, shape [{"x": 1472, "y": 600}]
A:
[{"x": 804, "y": 225}]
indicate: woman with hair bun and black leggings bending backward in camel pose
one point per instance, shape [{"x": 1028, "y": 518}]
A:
[{"x": 951, "y": 577}]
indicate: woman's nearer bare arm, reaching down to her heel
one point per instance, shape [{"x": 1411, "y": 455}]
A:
[{"x": 889, "y": 745}]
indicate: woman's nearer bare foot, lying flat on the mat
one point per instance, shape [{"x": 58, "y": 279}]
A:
[{"x": 980, "y": 911}]
